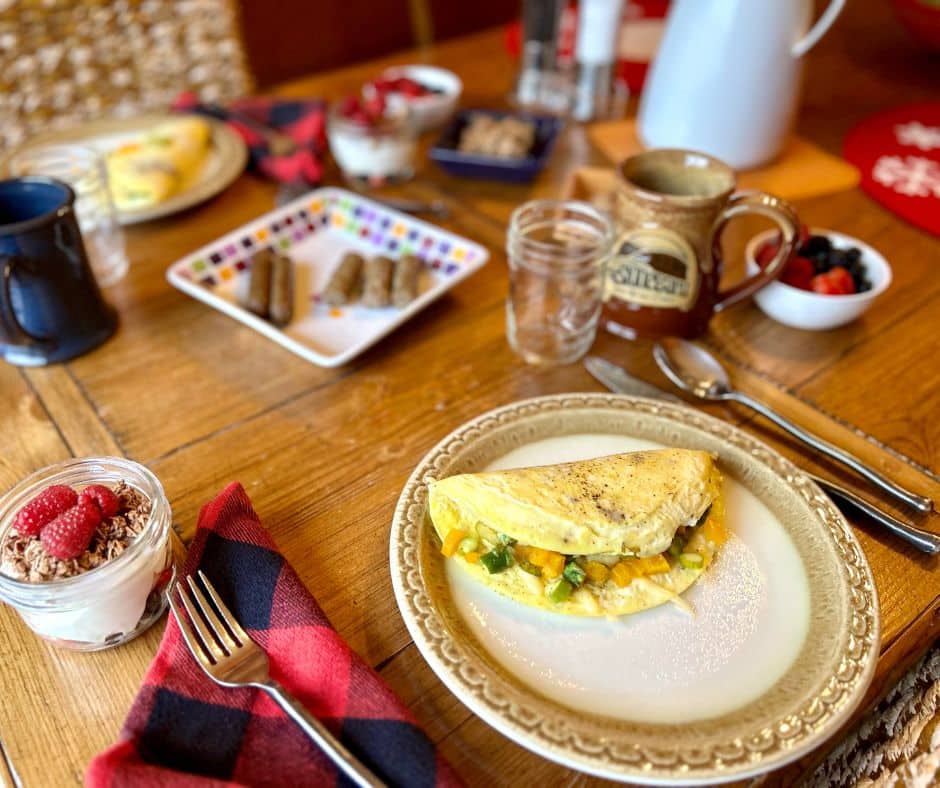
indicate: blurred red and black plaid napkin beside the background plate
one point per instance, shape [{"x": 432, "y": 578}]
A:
[{"x": 303, "y": 121}]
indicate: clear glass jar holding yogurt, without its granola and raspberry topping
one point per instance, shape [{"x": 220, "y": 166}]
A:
[{"x": 112, "y": 603}]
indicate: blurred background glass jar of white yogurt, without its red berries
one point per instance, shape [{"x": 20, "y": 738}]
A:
[{"x": 373, "y": 155}]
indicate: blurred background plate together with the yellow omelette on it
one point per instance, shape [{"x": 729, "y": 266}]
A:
[{"x": 159, "y": 164}]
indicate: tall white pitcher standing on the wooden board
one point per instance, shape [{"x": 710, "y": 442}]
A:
[{"x": 726, "y": 79}]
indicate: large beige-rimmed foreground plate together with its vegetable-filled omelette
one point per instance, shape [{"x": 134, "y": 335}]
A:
[{"x": 751, "y": 629}]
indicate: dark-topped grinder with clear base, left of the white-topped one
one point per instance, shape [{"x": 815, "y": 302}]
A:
[{"x": 539, "y": 85}]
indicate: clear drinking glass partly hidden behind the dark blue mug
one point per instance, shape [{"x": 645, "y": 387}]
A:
[{"x": 83, "y": 169}]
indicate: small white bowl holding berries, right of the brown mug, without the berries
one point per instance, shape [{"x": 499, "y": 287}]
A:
[{"x": 814, "y": 311}]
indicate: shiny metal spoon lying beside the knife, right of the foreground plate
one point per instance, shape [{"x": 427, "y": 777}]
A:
[{"x": 695, "y": 370}]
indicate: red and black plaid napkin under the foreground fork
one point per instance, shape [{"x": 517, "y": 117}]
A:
[{"x": 185, "y": 730}]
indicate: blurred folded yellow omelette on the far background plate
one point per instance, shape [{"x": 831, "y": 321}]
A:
[{"x": 147, "y": 171}]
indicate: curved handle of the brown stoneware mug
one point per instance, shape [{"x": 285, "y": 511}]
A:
[{"x": 773, "y": 208}]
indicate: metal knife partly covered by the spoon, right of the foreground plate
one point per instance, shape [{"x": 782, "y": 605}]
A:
[{"x": 620, "y": 381}]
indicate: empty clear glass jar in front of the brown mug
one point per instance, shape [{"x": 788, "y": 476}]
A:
[{"x": 557, "y": 253}]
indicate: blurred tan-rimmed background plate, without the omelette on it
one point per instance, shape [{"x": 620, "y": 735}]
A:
[{"x": 224, "y": 162}]
